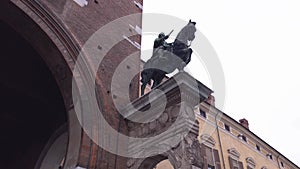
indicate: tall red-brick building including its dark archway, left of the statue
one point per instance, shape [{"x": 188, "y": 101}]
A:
[{"x": 40, "y": 124}]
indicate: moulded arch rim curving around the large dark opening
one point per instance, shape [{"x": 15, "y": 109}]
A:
[{"x": 58, "y": 52}]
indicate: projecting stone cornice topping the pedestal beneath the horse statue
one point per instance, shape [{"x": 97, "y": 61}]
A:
[{"x": 180, "y": 88}]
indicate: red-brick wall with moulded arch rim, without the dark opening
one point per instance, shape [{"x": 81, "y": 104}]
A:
[{"x": 51, "y": 27}]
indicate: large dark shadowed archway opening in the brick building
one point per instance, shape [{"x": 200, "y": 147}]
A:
[{"x": 32, "y": 107}]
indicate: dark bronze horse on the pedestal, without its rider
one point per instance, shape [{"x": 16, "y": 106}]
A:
[{"x": 166, "y": 60}]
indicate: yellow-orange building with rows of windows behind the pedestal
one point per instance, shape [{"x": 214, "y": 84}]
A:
[{"x": 228, "y": 144}]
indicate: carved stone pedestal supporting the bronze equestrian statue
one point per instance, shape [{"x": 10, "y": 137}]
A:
[{"x": 164, "y": 126}]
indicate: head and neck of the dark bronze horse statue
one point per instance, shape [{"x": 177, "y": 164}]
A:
[{"x": 187, "y": 33}]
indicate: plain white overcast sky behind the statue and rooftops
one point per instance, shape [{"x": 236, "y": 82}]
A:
[{"x": 258, "y": 44}]
